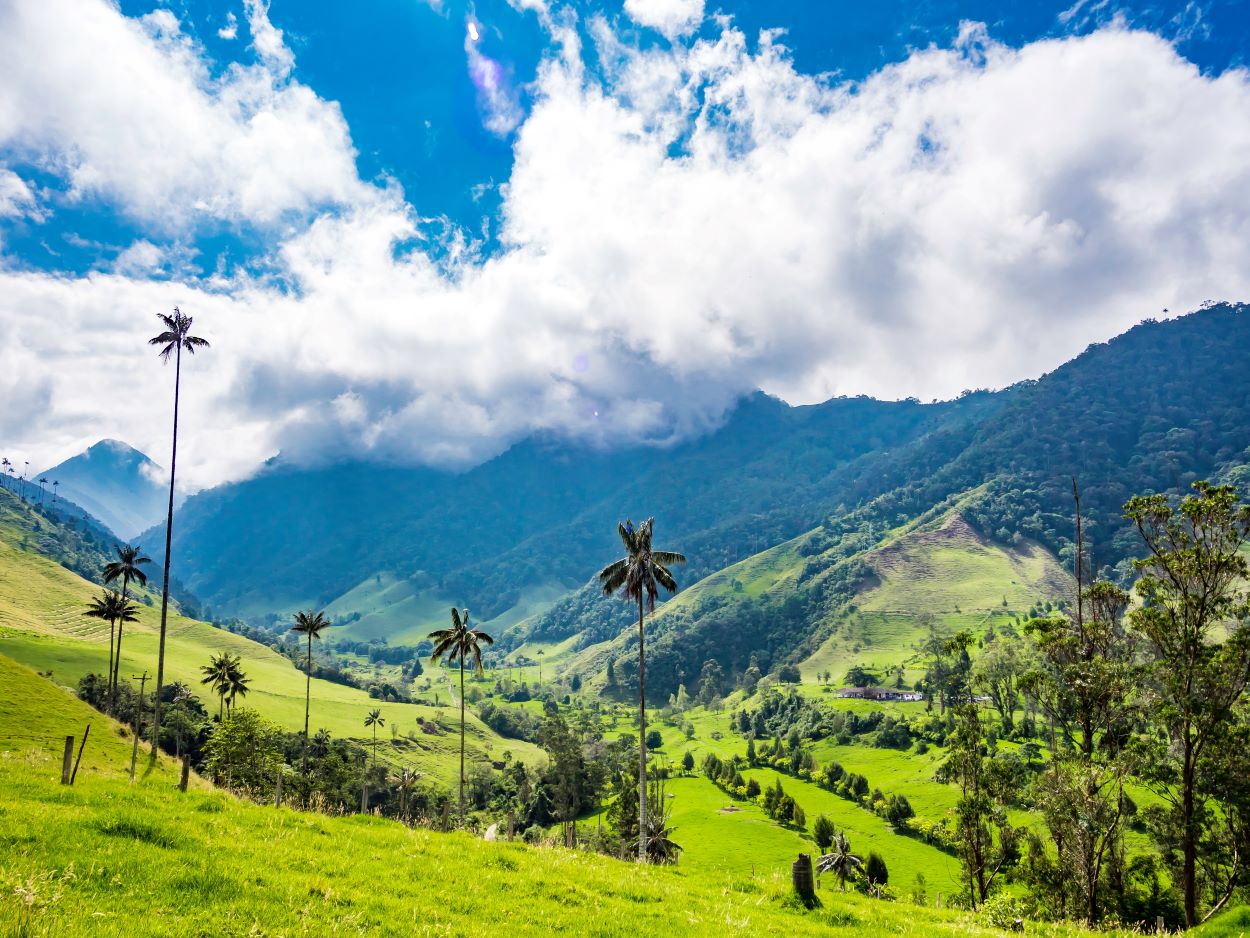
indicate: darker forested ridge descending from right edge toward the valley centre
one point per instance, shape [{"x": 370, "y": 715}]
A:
[{"x": 1152, "y": 411}]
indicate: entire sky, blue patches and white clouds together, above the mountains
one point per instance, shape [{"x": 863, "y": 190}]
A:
[{"x": 458, "y": 223}]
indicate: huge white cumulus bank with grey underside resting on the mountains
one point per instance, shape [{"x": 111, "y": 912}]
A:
[{"x": 698, "y": 222}]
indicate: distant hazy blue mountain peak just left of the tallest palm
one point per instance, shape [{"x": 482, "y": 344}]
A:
[{"x": 117, "y": 483}]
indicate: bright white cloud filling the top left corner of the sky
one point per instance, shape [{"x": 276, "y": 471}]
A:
[{"x": 128, "y": 111}]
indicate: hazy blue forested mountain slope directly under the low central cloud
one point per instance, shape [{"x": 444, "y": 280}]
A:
[{"x": 539, "y": 515}]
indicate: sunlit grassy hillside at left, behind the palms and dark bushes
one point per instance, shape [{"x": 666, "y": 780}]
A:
[{"x": 42, "y": 626}]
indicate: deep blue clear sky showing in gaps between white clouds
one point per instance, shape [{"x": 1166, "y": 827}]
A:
[{"x": 398, "y": 69}]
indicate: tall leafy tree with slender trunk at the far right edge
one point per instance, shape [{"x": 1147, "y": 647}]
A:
[{"x": 1192, "y": 618}]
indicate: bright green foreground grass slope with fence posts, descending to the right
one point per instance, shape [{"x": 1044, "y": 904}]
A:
[{"x": 107, "y": 859}]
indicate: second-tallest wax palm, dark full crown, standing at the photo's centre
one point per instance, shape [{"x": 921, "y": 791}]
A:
[{"x": 638, "y": 577}]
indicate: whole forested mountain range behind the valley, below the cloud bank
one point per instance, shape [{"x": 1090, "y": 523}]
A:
[{"x": 809, "y": 503}]
